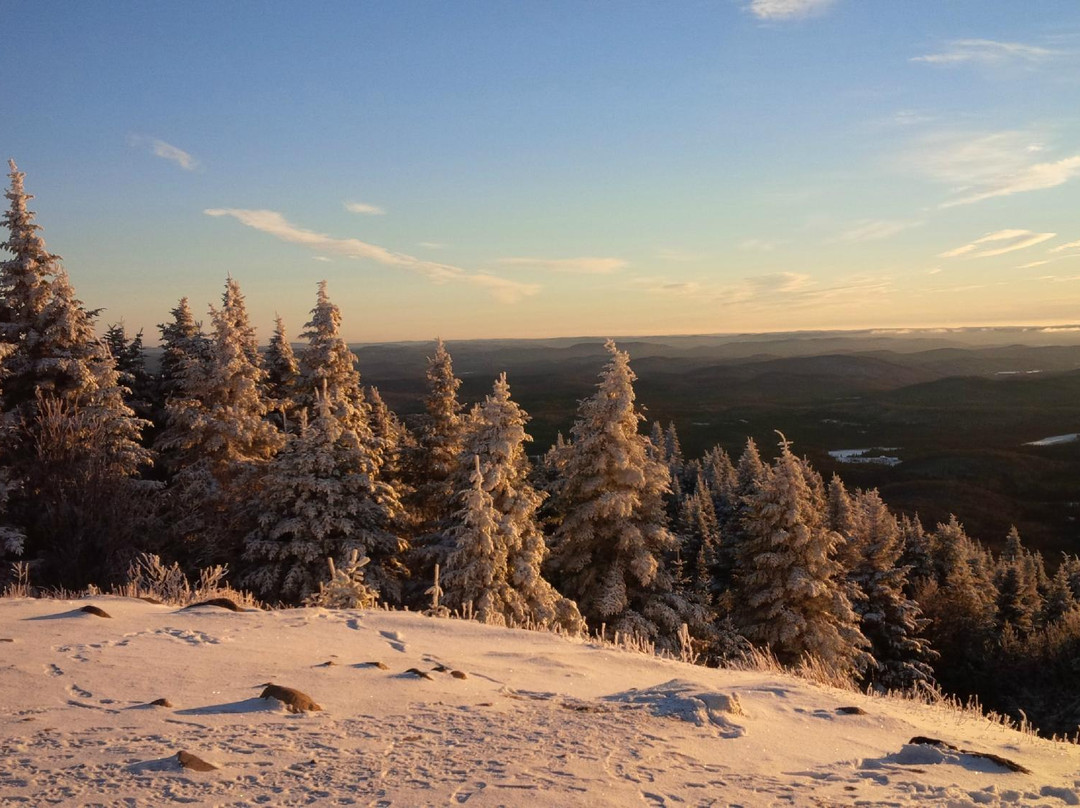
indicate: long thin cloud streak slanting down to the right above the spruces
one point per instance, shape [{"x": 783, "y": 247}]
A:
[{"x": 275, "y": 224}]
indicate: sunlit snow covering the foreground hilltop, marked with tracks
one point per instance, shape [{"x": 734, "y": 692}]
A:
[{"x": 530, "y": 719}]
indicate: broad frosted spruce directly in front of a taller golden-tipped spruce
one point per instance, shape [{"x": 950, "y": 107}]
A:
[{"x": 321, "y": 499}]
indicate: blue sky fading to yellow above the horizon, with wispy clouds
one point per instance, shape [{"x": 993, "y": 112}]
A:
[{"x": 477, "y": 170}]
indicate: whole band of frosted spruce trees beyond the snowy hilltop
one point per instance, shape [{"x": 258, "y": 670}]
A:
[{"x": 276, "y": 462}]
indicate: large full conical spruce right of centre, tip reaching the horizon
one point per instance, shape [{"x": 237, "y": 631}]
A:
[{"x": 610, "y": 548}]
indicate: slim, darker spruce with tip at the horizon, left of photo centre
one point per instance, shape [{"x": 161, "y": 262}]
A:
[{"x": 439, "y": 443}]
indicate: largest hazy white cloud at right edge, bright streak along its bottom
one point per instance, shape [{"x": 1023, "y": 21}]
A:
[{"x": 982, "y": 167}]
